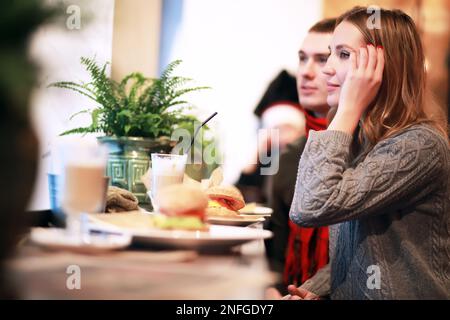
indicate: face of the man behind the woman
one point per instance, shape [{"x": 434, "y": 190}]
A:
[{"x": 311, "y": 81}]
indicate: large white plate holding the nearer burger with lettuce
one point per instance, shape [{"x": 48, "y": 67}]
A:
[{"x": 217, "y": 238}]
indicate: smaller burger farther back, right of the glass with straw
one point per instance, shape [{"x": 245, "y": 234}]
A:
[{"x": 224, "y": 201}]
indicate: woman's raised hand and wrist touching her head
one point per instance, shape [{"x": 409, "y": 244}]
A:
[{"x": 361, "y": 85}]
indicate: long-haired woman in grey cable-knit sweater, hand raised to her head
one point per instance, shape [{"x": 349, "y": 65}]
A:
[{"x": 379, "y": 175}]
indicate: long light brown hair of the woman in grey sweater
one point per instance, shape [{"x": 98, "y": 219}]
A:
[{"x": 402, "y": 100}]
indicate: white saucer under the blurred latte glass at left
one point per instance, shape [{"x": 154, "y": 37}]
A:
[{"x": 59, "y": 239}]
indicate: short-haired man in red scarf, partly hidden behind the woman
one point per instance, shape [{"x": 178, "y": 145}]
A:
[{"x": 294, "y": 251}]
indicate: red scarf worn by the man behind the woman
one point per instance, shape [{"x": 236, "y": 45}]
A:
[{"x": 307, "y": 249}]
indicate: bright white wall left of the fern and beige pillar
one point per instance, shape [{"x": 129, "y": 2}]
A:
[{"x": 58, "y": 49}]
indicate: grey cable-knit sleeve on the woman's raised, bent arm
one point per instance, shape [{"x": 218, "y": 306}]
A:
[{"x": 329, "y": 191}]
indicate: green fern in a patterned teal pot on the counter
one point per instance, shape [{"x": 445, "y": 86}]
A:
[{"x": 137, "y": 117}]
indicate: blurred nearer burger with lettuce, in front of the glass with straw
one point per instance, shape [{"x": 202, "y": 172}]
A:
[{"x": 181, "y": 207}]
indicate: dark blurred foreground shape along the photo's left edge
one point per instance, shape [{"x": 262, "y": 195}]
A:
[{"x": 18, "y": 142}]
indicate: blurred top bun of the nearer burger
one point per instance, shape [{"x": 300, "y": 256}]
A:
[{"x": 182, "y": 200}]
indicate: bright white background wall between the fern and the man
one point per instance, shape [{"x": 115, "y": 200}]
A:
[{"x": 237, "y": 47}]
